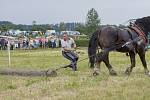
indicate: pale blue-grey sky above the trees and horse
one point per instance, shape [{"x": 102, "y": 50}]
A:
[{"x": 55, "y": 11}]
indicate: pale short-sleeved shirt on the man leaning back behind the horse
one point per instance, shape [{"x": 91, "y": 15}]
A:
[{"x": 67, "y": 44}]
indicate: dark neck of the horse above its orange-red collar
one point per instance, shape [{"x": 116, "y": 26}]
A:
[{"x": 144, "y": 23}]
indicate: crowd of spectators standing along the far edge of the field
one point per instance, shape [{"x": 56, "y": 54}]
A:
[{"x": 30, "y": 43}]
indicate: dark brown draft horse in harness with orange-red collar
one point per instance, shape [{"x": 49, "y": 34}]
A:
[{"x": 132, "y": 40}]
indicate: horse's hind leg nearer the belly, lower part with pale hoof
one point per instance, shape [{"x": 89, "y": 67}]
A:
[{"x": 110, "y": 68}]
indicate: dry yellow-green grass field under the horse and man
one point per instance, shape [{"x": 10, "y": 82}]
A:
[{"x": 69, "y": 85}]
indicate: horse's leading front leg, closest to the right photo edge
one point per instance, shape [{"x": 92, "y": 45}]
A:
[{"x": 142, "y": 57}]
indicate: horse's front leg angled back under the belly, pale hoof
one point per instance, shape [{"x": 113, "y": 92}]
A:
[{"x": 132, "y": 59}]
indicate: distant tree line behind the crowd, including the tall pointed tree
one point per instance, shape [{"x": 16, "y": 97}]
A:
[{"x": 91, "y": 24}]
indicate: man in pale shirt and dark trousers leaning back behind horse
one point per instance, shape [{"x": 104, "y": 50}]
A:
[{"x": 68, "y": 46}]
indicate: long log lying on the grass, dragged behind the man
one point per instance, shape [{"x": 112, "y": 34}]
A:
[{"x": 22, "y": 72}]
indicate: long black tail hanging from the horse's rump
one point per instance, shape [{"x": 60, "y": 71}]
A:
[{"x": 93, "y": 44}]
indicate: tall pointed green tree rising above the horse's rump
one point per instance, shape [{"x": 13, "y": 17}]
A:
[{"x": 92, "y": 21}]
